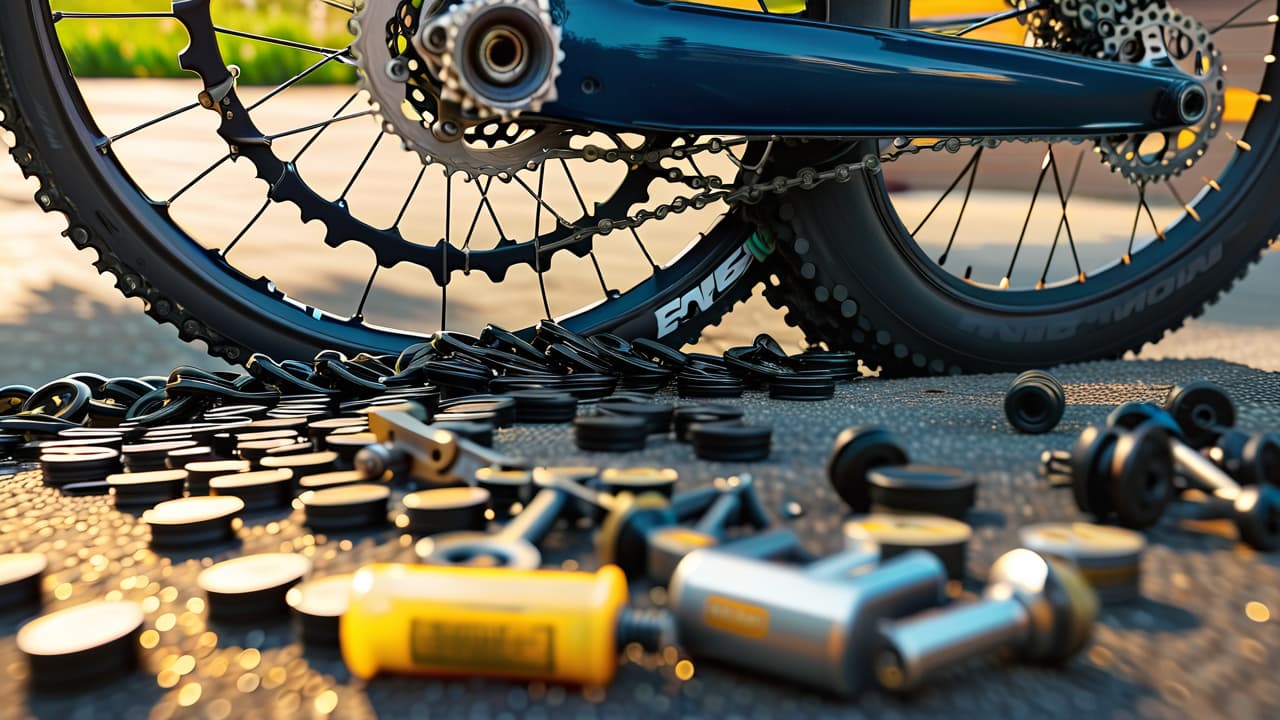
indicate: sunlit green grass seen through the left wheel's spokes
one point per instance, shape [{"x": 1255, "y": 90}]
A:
[{"x": 150, "y": 48}]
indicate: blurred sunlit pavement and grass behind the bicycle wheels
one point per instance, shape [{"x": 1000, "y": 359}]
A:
[{"x": 58, "y": 316}]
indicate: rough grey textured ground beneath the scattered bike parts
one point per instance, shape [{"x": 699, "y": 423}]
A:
[{"x": 1188, "y": 650}]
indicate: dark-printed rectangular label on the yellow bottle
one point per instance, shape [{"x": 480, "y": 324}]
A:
[{"x": 500, "y": 648}]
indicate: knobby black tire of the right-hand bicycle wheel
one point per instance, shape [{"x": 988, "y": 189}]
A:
[{"x": 853, "y": 279}]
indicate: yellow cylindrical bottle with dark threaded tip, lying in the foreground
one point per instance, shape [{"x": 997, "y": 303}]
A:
[{"x": 520, "y": 625}]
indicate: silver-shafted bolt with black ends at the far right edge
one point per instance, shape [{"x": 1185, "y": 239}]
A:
[{"x": 1255, "y": 513}]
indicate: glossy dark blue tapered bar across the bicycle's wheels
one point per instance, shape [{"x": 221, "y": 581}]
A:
[{"x": 691, "y": 69}]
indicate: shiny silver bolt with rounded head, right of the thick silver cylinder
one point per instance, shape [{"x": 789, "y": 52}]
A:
[{"x": 1040, "y": 609}]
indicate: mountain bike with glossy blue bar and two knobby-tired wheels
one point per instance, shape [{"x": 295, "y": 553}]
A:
[{"x": 579, "y": 134}]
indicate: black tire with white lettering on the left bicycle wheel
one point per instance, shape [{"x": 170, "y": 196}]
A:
[{"x": 205, "y": 299}]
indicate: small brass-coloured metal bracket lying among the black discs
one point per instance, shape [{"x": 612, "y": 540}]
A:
[{"x": 433, "y": 457}]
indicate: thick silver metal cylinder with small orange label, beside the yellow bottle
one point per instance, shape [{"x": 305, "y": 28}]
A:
[{"x": 785, "y": 623}]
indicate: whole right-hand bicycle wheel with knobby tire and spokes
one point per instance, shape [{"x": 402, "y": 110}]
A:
[{"x": 1021, "y": 256}]
